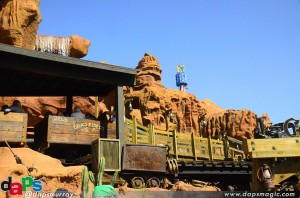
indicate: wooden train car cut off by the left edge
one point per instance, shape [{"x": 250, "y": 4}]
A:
[{"x": 13, "y": 127}]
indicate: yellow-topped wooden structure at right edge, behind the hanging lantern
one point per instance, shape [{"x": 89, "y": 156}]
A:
[{"x": 281, "y": 154}]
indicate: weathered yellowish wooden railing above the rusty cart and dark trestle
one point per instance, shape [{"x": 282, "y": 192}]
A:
[{"x": 182, "y": 145}]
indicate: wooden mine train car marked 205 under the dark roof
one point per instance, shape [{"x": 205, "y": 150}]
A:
[{"x": 66, "y": 138}]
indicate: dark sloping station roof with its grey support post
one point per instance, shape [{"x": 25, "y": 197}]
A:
[{"x": 30, "y": 73}]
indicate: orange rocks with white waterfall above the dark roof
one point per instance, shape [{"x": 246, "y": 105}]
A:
[{"x": 19, "y": 21}]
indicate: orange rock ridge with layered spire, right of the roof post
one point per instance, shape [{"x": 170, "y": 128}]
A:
[{"x": 173, "y": 109}]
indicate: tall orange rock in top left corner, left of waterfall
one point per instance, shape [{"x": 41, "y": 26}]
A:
[{"x": 19, "y": 21}]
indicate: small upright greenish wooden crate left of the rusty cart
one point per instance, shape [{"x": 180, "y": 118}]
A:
[{"x": 108, "y": 148}]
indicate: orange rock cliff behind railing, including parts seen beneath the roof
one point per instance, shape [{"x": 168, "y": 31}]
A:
[{"x": 152, "y": 103}]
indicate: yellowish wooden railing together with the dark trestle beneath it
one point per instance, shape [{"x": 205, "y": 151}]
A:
[{"x": 196, "y": 156}]
